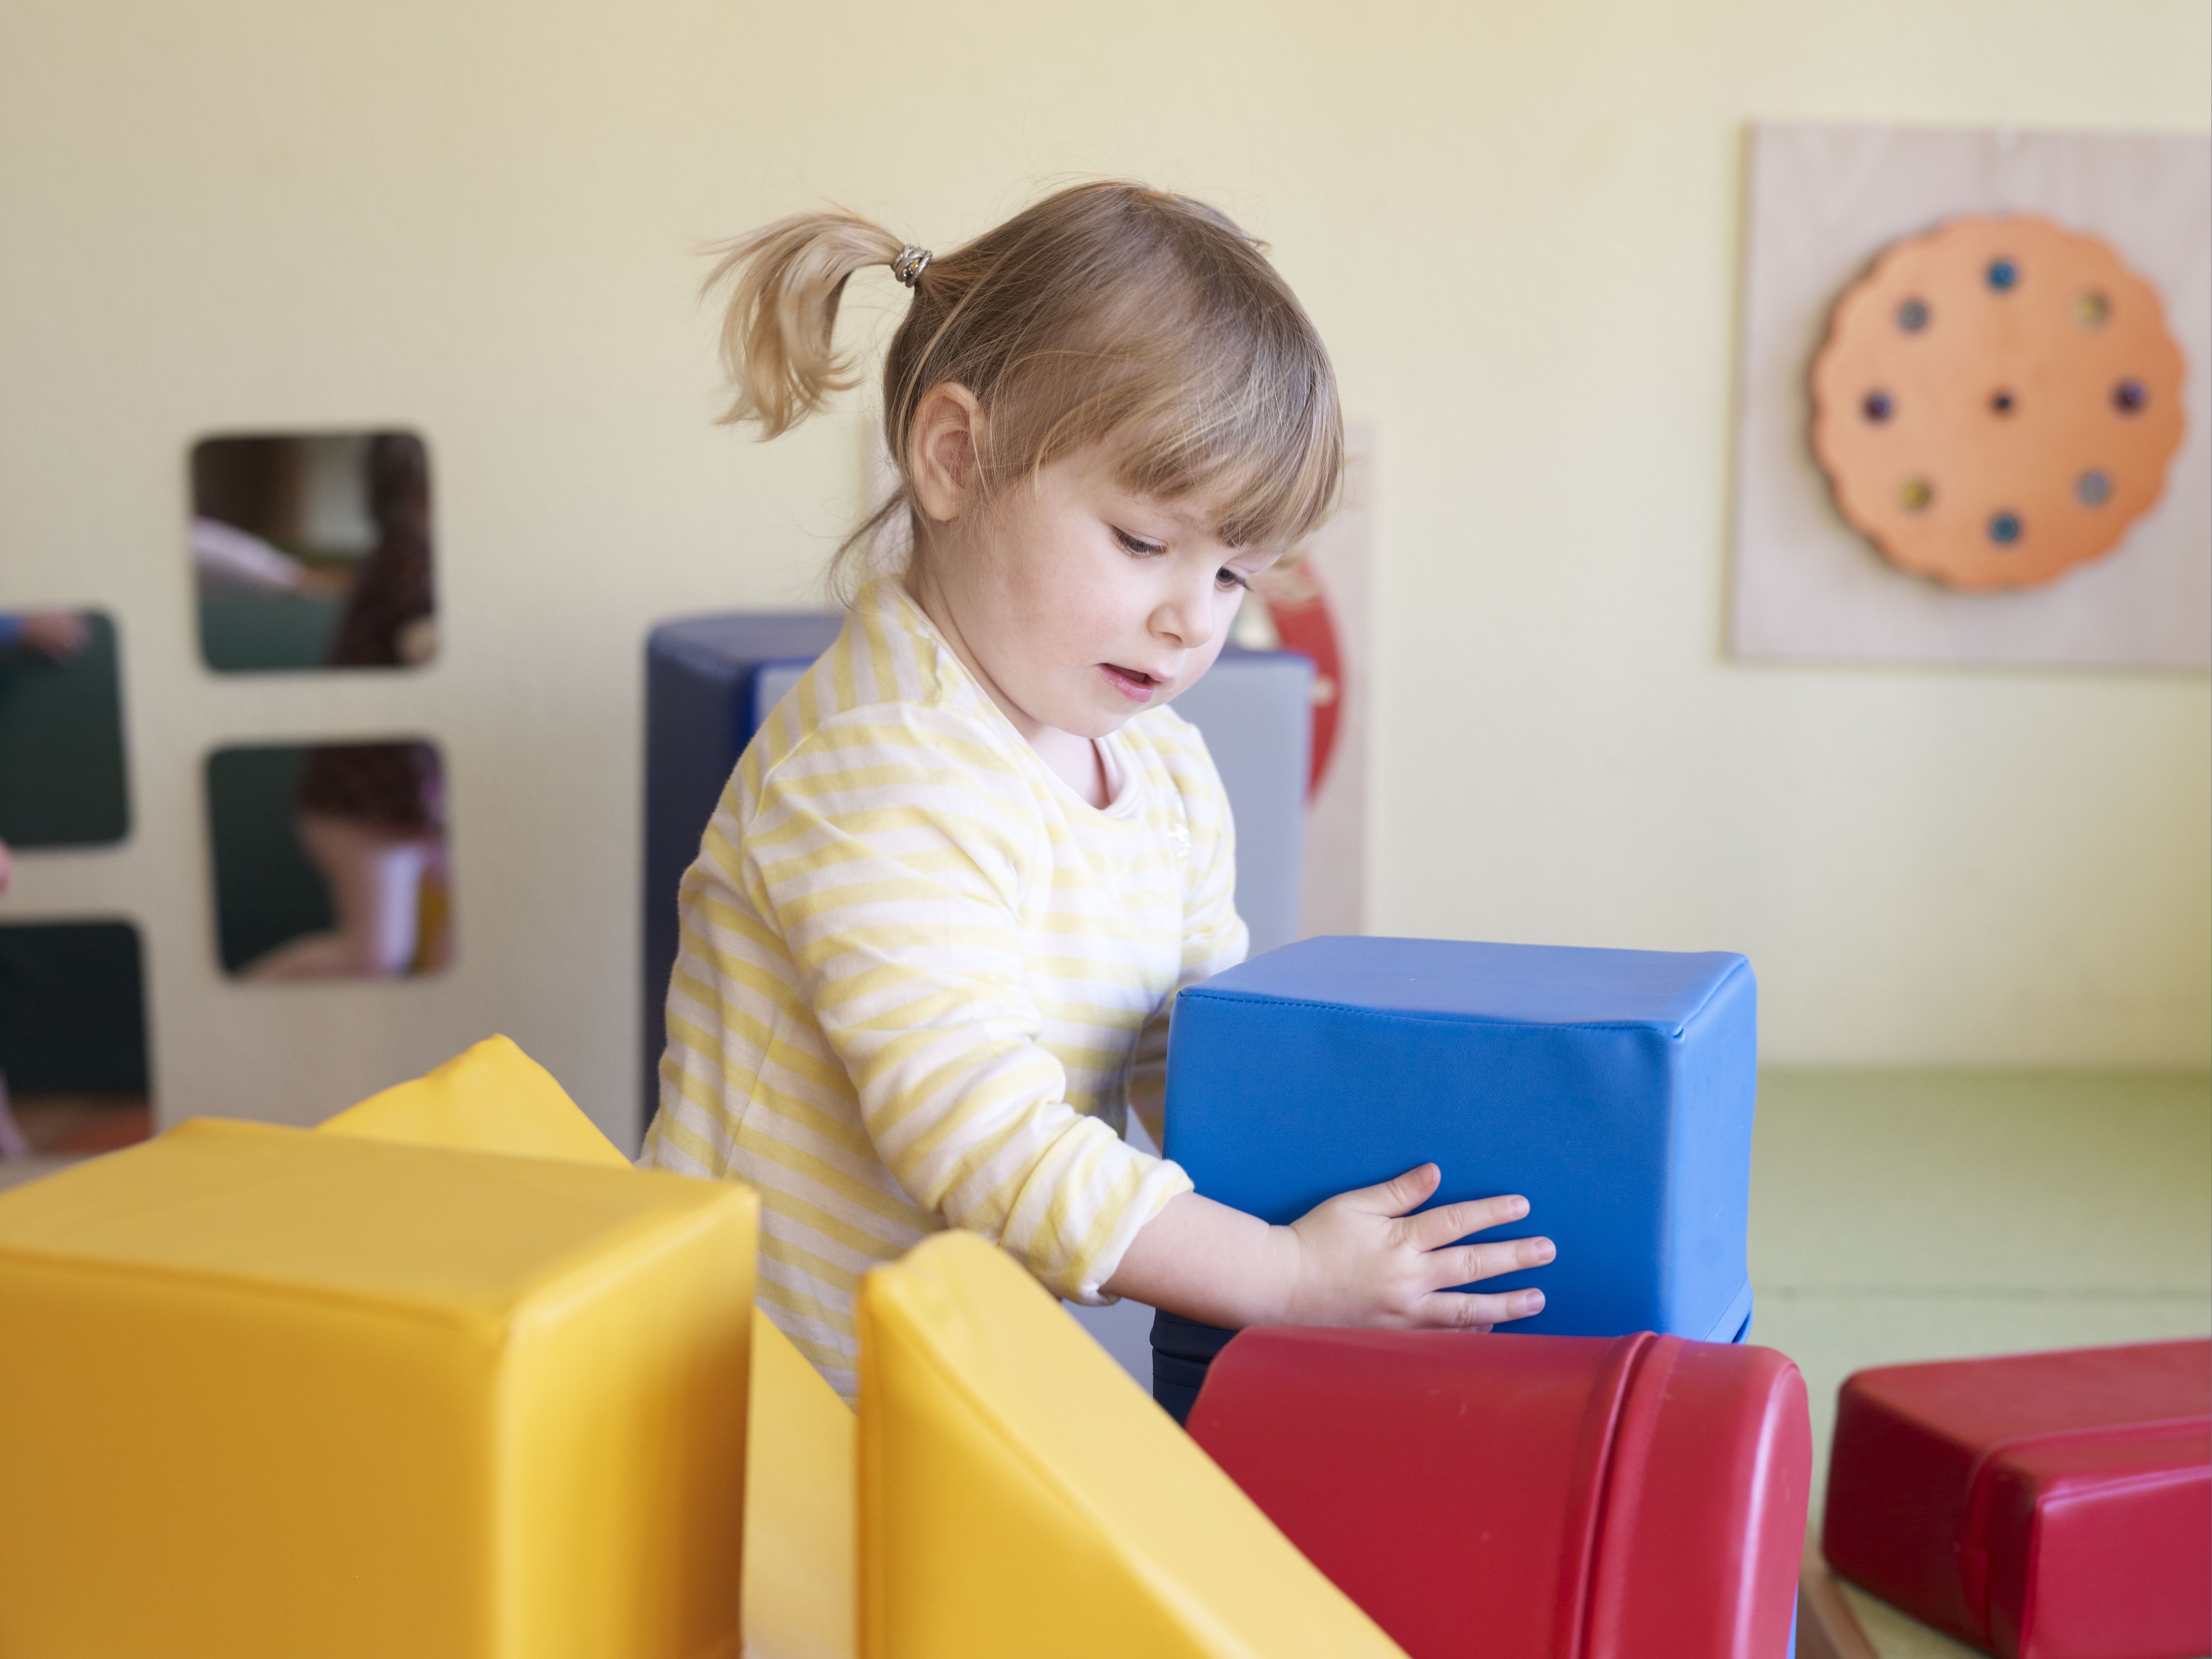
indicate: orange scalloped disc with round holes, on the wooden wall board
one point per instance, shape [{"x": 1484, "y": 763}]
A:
[{"x": 1996, "y": 401}]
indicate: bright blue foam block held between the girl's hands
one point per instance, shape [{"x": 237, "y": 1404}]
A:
[{"x": 1611, "y": 1087}]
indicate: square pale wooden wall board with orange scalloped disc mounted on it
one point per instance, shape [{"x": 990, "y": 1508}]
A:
[{"x": 1974, "y": 399}]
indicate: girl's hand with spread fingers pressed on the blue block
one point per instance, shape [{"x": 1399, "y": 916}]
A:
[{"x": 1361, "y": 1260}]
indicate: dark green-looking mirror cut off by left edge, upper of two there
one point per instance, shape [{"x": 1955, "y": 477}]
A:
[{"x": 61, "y": 731}]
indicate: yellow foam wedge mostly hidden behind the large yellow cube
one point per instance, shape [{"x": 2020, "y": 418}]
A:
[{"x": 800, "y": 1465}]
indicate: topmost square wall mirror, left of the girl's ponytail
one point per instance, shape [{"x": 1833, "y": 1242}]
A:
[{"x": 313, "y": 552}]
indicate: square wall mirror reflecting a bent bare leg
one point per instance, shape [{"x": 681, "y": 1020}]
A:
[{"x": 331, "y": 862}]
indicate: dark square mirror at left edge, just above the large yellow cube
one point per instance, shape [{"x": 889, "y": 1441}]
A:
[{"x": 72, "y": 1043}]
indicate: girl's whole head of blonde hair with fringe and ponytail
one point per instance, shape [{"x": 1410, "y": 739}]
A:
[{"x": 1105, "y": 313}]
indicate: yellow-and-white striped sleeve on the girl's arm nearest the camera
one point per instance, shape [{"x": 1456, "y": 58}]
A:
[{"x": 893, "y": 853}]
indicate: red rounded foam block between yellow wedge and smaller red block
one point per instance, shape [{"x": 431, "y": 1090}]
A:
[{"x": 1530, "y": 1496}]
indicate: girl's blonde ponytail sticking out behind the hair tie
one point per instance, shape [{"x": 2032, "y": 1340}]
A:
[{"x": 786, "y": 282}]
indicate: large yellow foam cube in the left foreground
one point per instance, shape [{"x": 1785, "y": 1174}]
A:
[{"x": 275, "y": 1392}]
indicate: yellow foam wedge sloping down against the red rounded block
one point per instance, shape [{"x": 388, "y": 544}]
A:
[{"x": 1023, "y": 1496}]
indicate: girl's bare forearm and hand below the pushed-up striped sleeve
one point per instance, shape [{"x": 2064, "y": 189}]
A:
[{"x": 1355, "y": 1260}]
